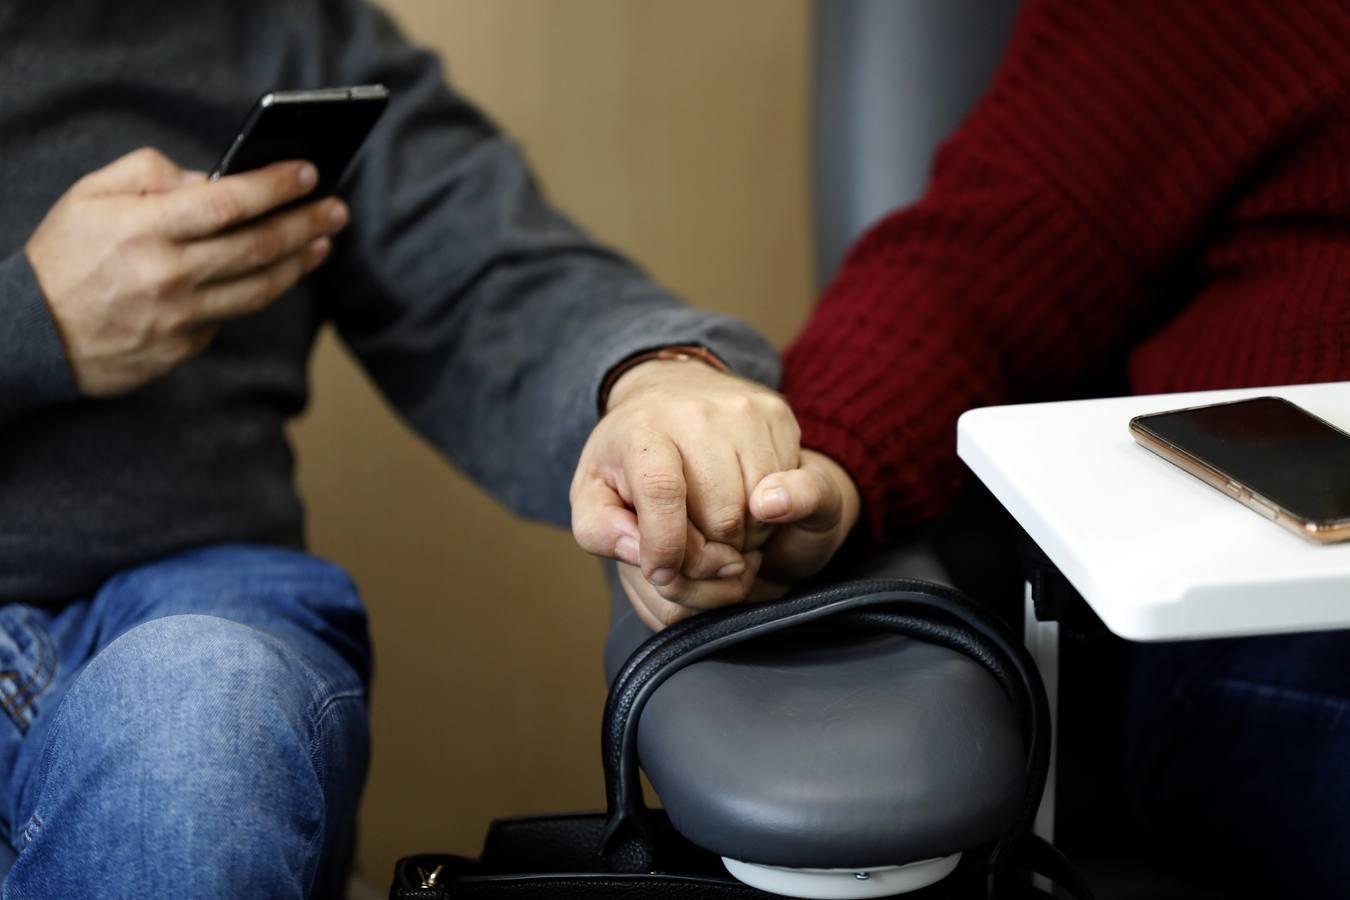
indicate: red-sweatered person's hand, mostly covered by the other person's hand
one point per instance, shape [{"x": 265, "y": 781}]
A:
[{"x": 805, "y": 515}]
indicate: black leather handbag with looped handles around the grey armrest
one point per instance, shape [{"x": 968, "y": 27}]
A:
[{"x": 635, "y": 852}]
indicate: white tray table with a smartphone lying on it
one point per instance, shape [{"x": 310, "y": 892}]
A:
[{"x": 1156, "y": 554}]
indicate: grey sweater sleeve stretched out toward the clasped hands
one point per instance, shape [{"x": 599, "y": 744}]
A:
[{"x": 483, "y": 314}]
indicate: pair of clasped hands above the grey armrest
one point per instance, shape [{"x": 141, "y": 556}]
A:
[{"x": 697, "y": 484}]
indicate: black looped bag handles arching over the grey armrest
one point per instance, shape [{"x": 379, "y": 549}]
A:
[{"x": 921, "y": 611}]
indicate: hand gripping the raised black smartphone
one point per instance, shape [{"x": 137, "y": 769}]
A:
[{"x": 141, "y": 262}]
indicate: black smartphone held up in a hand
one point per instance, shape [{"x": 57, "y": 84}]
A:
[{"x": 326, "y": 128}]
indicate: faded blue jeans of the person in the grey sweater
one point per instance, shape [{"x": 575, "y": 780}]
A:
[{"x": 196, "y": 729}]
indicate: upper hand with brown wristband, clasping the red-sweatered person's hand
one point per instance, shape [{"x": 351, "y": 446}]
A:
[{"x": 665, "y": 480}]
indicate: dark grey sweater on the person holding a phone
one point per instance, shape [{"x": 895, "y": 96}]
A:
[{"x": 484, "y": 316}]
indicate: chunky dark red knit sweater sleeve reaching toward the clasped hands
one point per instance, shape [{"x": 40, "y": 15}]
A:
[{"x": 1108, "y": 149}]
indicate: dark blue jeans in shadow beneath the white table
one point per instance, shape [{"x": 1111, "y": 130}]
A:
[{"x": 1241, "y": 760}]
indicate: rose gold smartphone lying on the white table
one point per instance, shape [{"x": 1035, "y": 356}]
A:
[{"x": 1268, "y": 454}]
